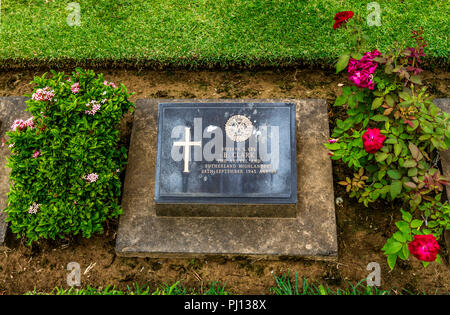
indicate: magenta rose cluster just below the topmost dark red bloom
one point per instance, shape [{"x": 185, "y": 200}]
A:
[{"x": 360, "y": 72}]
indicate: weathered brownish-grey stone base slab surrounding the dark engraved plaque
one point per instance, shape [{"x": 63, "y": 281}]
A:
[{"x": 311, "y": 233}]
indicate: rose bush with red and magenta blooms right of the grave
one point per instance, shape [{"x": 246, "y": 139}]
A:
[{"x": 391, "y": 138}]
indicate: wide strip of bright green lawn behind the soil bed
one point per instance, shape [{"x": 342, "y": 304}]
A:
[{"x": 206, "y": 32}]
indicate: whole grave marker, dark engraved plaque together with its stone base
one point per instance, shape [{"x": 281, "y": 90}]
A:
[{"x": 171, "y": 210}]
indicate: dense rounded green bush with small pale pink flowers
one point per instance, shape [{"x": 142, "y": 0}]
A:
[{"x": 65, "y": 160}]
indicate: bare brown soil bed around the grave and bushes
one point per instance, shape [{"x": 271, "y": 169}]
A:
[{"x": 361, "y": 231}]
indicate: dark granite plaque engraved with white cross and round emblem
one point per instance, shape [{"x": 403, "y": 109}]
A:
[{"x": 226, "y": 153}]
